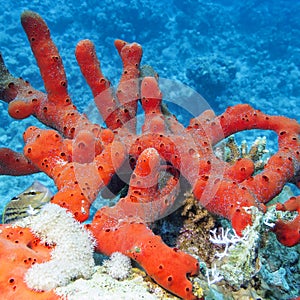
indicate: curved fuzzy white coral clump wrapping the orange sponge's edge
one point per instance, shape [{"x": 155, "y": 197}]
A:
[{"x": 72, "y": 256}]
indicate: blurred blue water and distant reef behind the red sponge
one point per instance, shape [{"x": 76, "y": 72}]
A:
[{"x": 228, "y": 51}]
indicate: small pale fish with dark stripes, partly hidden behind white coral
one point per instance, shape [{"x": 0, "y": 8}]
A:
[{"x": 27, "y": 203}]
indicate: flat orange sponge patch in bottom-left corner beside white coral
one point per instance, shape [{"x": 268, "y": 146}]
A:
[{"x": 20, "y": 249}]
